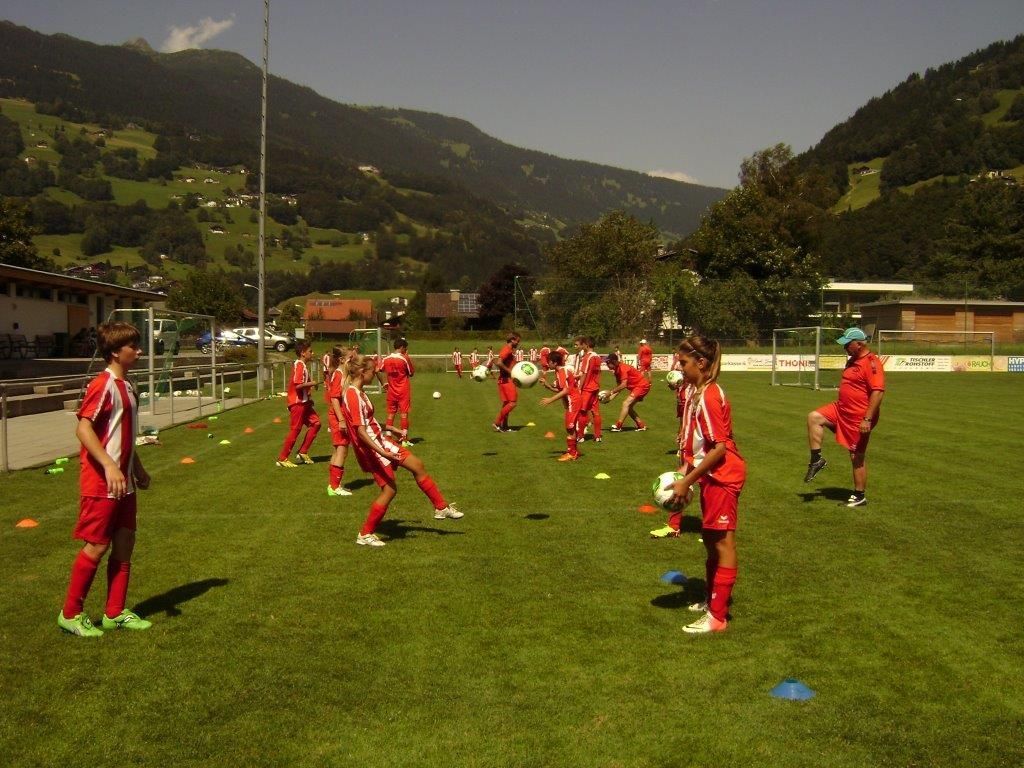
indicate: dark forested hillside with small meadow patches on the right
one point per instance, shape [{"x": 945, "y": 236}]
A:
[{"x": 928, "y": 180}]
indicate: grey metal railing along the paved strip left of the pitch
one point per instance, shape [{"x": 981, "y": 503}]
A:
[{"x": 180, "y": 394}]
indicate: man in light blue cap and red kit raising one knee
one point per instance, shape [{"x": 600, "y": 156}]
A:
[{"x": 854, "y": 416}]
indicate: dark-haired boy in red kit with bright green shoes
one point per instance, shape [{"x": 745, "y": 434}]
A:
[{"x": 112, "y": 473}]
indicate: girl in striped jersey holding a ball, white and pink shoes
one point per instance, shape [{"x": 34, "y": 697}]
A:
[{"x": 712, "y": 461}]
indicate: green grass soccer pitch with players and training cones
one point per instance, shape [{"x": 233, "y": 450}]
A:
[{"x": 537, "y": 631}]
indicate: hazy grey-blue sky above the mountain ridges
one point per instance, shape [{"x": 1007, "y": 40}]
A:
[{"x": 688, "y": 89}]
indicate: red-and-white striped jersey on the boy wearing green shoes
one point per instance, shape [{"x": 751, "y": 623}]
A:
[{"x": 112, "y": 406}]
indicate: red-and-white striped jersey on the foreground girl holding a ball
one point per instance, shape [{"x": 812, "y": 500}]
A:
[{"x": 707, "y": 422}]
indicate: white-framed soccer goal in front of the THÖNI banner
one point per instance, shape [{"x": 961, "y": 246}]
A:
[{"x": 805, "y": 358}]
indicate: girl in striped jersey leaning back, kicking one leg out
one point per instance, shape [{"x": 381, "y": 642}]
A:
[{"x": 378, "y": 455}]
